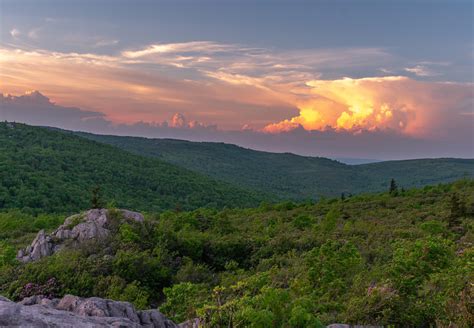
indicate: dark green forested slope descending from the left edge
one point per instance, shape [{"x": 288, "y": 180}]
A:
[{"x": 44, "y": 170}]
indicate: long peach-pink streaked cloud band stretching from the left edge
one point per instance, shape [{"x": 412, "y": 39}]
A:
[{"x": 126, "y": 93}]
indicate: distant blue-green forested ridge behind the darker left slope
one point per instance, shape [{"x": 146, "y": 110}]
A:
[{"x": 290, "y": 176}]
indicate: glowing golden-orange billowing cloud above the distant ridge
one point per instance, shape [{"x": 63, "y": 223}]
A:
[{"x": 395, "y": 102}]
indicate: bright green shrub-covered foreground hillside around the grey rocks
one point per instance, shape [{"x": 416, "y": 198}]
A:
[{"x": 402, "y": 258}]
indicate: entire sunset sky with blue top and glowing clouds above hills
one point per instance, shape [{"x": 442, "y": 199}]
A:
[{"x": 364, "y": 79}]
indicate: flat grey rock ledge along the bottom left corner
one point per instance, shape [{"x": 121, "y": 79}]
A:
[{"x": 72, "y": 311}]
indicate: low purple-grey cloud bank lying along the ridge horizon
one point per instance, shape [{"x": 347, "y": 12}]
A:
[{"x": 35, "y": 108}]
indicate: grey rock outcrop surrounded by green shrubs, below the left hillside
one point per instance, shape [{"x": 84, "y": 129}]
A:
[{"x": 77, "y": 229}]
